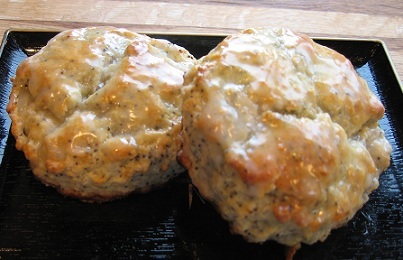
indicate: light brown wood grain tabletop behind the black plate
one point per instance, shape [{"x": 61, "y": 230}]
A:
[{"x": 371, "y": 19}]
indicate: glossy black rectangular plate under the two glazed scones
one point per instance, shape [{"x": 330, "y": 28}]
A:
[{"x": 37, "y": 222}]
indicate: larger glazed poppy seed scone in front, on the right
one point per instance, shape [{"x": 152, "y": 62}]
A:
[{"x": 281, "y": 135}]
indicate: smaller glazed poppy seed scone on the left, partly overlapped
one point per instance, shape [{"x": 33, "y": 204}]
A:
[{"x": 97, "y": 112}]
